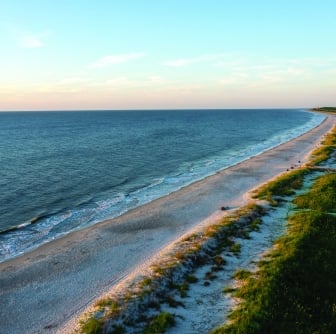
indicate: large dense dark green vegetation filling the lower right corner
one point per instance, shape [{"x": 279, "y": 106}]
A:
[{"x": 294, "y": 290}]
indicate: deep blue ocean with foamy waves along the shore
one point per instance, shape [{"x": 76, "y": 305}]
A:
[{"x": 63, "y": 171}]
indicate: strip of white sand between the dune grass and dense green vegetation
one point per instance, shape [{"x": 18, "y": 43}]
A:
[{"x": 207, "y": 307}]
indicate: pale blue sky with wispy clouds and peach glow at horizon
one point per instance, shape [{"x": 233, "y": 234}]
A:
[{"x": 162, "y": 54}]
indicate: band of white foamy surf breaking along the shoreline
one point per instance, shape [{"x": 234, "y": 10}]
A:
[{"x": 29, "y": 237}]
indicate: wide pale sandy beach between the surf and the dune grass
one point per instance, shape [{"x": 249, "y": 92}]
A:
[{"x": 44, "y": 290}]
